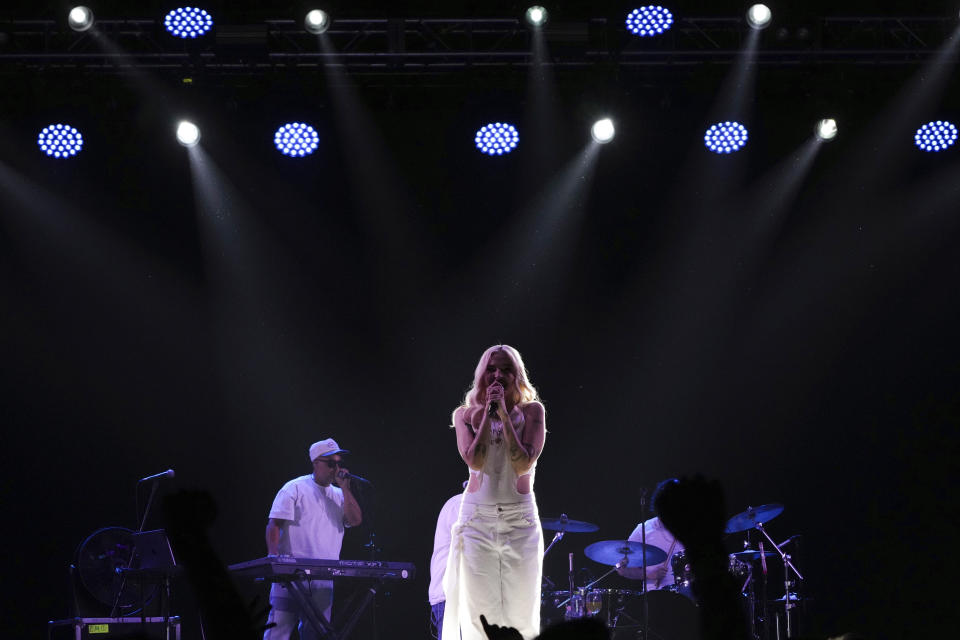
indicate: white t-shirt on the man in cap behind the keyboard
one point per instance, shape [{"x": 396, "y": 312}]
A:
[{"x": 314, "y": 519}]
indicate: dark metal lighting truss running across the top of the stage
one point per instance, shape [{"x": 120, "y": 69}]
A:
[{"x": 414, "y": 45}]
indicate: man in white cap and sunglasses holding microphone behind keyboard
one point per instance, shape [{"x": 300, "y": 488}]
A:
[{"x": 307, "y": 520}]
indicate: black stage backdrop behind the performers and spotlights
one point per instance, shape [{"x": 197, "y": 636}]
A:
[{"x": 677, "y": 317}]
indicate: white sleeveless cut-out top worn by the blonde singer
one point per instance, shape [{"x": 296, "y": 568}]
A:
[{"x": 498, "y": 479}]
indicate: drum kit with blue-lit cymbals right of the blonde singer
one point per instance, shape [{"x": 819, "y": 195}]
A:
[{"x": 670, "y": 611}]
